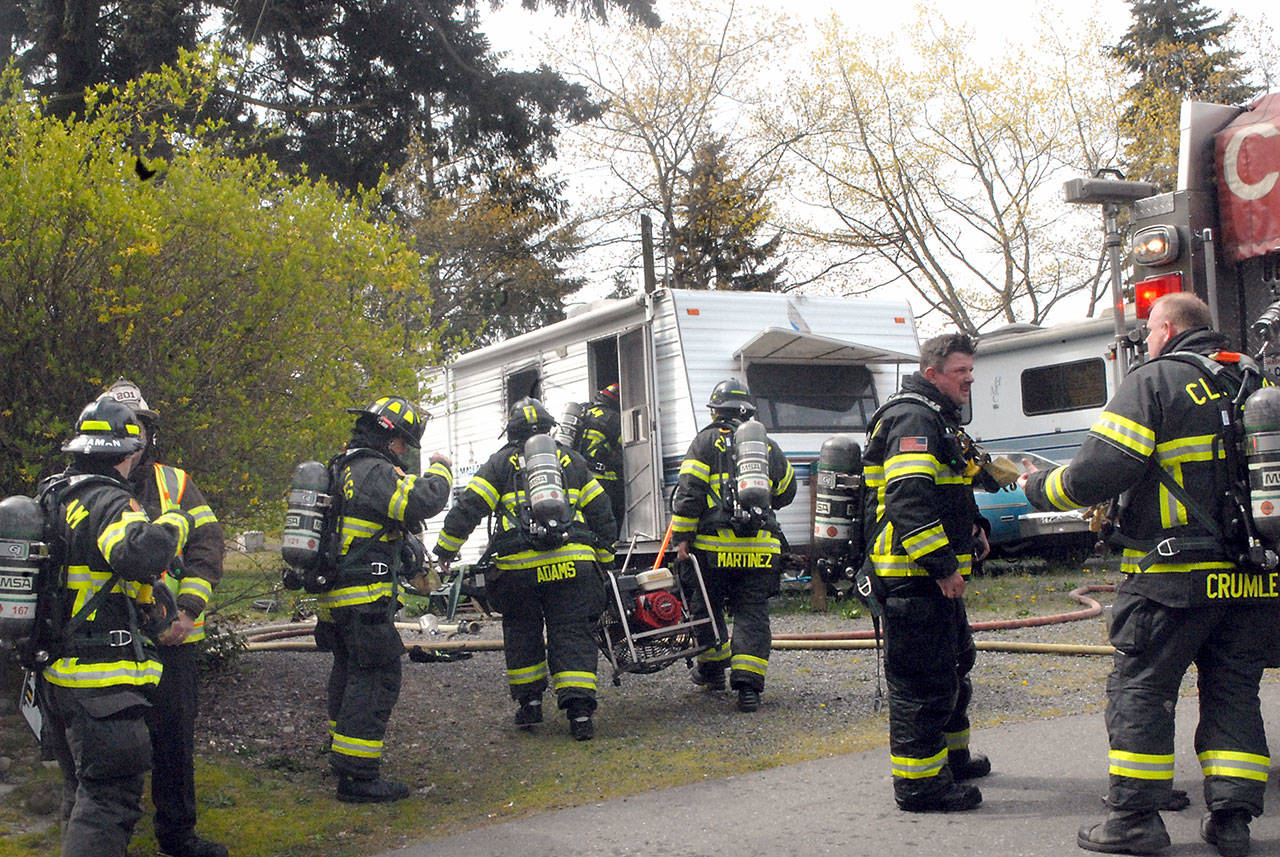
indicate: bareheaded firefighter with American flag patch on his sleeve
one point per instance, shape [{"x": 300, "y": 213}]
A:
[{"x": 924, "y": 537}]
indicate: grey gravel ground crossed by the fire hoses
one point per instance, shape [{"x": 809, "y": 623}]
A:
[{"x": 815, "y": 703}]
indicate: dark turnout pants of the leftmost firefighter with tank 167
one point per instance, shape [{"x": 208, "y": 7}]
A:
[{"x": 100, "y": 741}]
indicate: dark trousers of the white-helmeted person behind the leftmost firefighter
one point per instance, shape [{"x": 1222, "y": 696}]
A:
[{"x": 172, "y": 722}]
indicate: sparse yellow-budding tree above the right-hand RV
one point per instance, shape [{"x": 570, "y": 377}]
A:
[{"x": 941, "y": 172}]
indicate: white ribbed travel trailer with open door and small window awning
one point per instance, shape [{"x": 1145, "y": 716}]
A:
[{"x": 816, "y": 366}]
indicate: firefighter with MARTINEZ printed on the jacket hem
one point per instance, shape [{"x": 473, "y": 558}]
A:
[{"x": 739, "y": 563}]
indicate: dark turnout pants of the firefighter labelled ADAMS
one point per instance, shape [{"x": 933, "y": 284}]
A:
[{"x": 568, "y": 607}]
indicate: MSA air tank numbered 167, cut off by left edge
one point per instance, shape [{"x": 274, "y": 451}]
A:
[{"x": 22, "y": 528}]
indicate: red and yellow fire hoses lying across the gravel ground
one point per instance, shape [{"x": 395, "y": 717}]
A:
[{"x": 290, "y": 636}]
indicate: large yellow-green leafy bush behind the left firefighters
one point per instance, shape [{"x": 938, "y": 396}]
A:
[{"x": 243, "y": 301}]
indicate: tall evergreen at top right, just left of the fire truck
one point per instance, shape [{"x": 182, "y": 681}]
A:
[{"x": 1176, "y": 48}]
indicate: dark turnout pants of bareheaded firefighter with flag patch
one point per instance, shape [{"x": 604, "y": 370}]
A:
[{"x": 929, "y": 654}]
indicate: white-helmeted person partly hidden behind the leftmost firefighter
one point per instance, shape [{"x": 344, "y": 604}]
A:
[{"x": 175, "y": 707}]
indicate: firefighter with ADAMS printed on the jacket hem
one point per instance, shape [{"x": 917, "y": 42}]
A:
[{"x": 538, "y": 580}]
